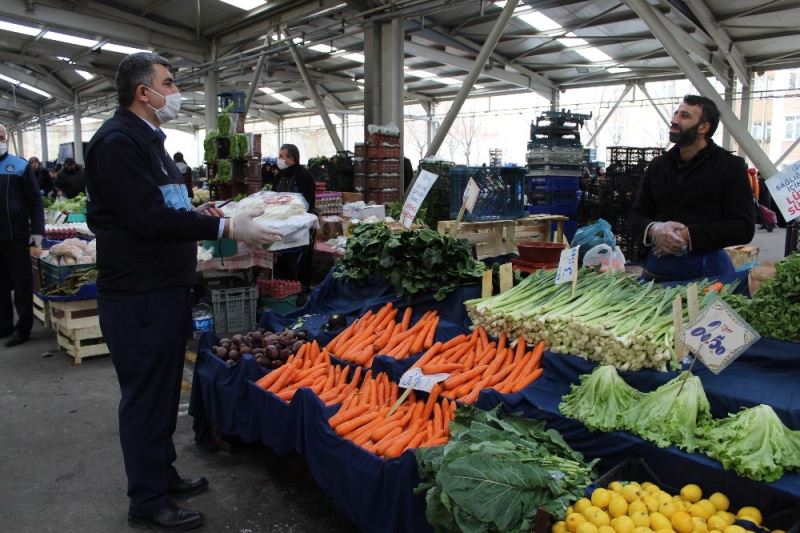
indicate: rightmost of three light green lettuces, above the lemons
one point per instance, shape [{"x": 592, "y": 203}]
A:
[{"x": 754, "y": 443}]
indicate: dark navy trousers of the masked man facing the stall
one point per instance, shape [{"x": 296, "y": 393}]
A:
[{"x": 146, "y": 334}]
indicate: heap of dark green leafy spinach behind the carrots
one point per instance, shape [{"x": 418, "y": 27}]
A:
[{"x": 414, "y": 262}]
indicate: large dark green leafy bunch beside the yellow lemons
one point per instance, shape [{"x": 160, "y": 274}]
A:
[{"x": 495, "y": 473}]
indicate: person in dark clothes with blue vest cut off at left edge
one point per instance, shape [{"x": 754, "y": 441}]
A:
[{"x": 21, "y": 226}]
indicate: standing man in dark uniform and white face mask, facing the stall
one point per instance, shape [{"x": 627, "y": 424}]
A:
[{"x": 147, "y": 235}]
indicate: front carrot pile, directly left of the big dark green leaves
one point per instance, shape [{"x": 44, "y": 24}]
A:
[{"x": 364, "y": 418}]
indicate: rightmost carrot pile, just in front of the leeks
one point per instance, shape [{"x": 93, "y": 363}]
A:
[{"x": 475, "y": 364}]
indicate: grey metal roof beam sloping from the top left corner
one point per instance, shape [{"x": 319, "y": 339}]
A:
[{"x": 124, "y": 32}]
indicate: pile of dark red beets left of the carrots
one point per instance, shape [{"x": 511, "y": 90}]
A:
[{"x": 270, "y": 349}]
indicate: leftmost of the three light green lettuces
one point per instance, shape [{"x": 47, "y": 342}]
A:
[{"x": 601, "y": 401}]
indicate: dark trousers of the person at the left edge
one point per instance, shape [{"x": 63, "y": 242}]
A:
[{"x": 15, "y": 274}]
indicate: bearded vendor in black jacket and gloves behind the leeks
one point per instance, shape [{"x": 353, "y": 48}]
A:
[{"x": 693, "y": 201}]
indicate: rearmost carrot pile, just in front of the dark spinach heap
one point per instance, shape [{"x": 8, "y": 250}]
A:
[{"x": 379, "y": 333}]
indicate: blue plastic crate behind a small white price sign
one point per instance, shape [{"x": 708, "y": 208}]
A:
[{"x": 502, "y": 195}]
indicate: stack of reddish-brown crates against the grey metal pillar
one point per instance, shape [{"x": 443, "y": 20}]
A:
[{"x": 378, "y": 168}]
